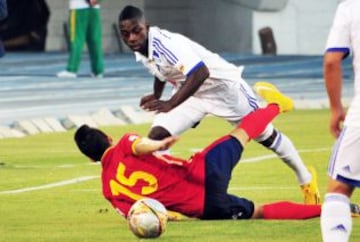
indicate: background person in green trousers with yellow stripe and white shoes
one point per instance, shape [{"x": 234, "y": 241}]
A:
[{"x": 84, "y": 27}]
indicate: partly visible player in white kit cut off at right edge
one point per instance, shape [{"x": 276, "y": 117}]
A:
[{"x": 344, "y": 164}]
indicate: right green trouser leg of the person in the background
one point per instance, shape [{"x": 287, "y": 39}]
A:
[{"x": 94, "y": 42}]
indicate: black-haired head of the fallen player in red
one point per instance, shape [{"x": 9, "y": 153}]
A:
[{"x": 91, "y": 142}]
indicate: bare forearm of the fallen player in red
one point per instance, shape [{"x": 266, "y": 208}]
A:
[{"x": 147, "y": 146}]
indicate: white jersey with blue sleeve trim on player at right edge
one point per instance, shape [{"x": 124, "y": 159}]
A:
[{"x": 344, "y": 36}]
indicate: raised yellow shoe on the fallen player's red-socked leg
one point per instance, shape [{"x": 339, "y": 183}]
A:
[{"x": 272, "y": 95}]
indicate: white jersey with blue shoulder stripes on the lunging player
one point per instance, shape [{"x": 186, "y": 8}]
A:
[{"x": 172, "y": 57}]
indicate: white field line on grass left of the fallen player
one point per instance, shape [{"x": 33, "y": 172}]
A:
[{"x": 51, "y": 185}]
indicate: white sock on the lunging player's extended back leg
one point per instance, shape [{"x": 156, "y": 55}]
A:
[{"x": 285, "y": 149}]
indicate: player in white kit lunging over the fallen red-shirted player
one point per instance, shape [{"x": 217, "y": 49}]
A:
[{"x": 203, "y": 83}]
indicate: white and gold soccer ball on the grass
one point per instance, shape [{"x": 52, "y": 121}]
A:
[{"x": 147, "y": 218}]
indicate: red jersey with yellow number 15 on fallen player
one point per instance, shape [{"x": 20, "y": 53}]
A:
[{"x": 127, "y": 177}]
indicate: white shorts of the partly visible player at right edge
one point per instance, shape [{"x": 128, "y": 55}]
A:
[{"x": 344, "y": 164}]
